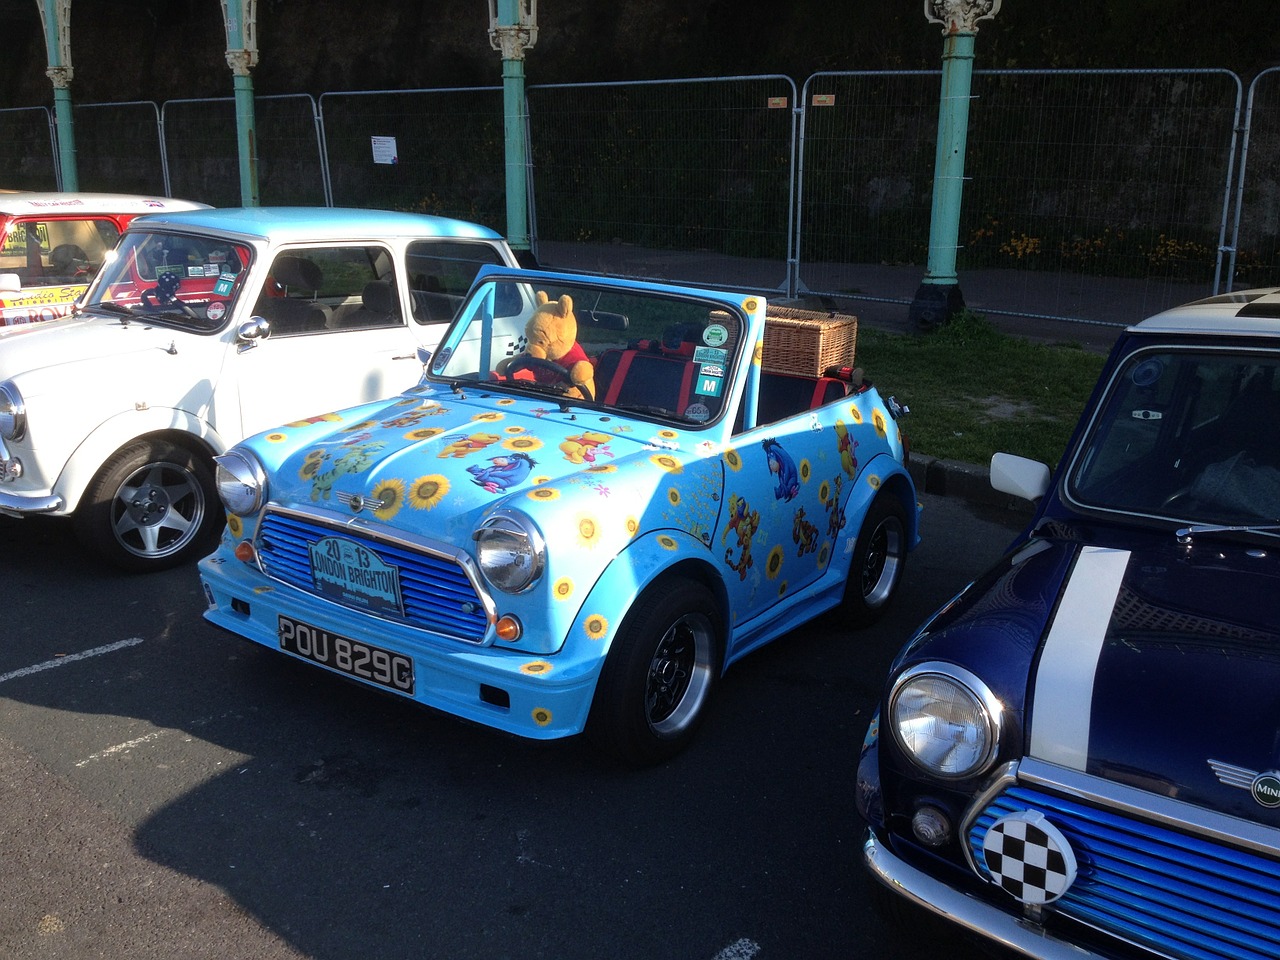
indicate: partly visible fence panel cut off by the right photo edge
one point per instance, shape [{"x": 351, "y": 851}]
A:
[{"x": 1258, "y": 204}]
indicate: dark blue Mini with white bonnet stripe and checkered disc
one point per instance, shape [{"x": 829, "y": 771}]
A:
[{"x": 1080, "y": 756}]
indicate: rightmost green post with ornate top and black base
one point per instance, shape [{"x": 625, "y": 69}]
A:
[{"x": 939, "y": 296}]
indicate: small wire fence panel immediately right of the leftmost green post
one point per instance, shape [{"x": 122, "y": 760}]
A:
[{"x": 118, "y": 149}]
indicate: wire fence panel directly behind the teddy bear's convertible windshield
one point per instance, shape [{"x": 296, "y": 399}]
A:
[{"x": 676, "y": 180}]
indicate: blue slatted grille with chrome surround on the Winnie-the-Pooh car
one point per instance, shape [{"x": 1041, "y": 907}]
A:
[{"x": 441, "y": 586}]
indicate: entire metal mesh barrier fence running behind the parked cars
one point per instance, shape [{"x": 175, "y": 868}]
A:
[{"x": 1099, "y": 196}]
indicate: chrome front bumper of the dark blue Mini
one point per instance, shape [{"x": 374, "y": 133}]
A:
[{"x": 964, "y": 911}]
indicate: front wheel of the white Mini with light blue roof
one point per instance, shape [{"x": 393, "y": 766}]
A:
[{"x": 152, "y": 506}]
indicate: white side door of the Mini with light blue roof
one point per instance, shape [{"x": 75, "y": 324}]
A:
[{"x": 340, "y": 336}]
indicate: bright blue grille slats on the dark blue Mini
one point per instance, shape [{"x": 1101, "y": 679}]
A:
[{"x": 1186, "y": 897}]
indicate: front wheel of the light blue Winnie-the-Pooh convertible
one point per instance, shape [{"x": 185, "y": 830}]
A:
[{"x": 660, "y": 674}]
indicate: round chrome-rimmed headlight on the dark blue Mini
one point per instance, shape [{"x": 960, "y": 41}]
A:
[{"x": 945, "y": 720}]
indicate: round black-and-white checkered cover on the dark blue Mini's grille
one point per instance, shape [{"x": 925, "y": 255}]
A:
[{"x": 1030, "y": 858}]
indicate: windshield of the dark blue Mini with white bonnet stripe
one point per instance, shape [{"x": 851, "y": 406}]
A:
[{"x": 1187, "y": 435}]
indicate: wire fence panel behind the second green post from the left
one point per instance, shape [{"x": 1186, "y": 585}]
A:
[{"x": 202, "y": 150}]
